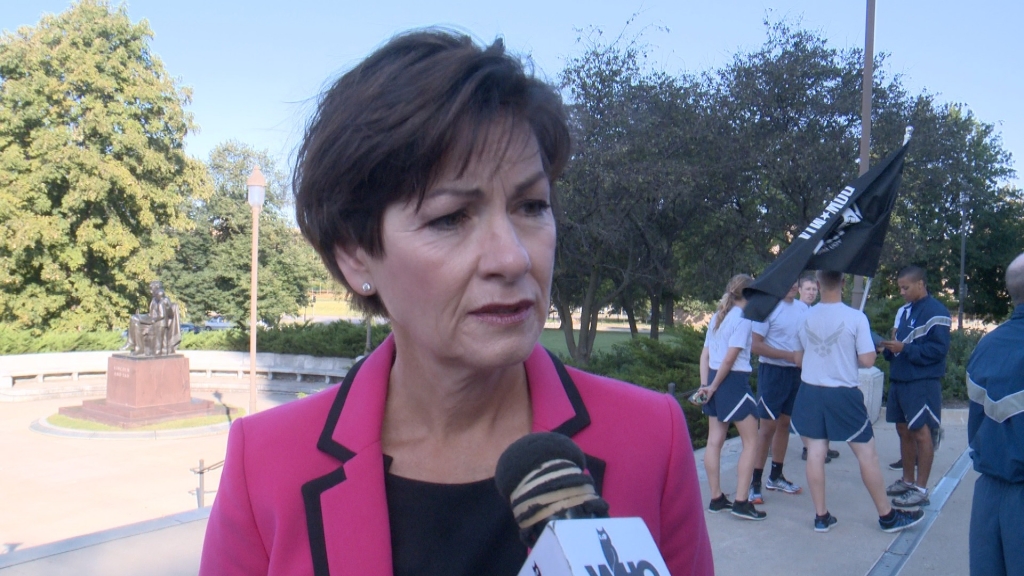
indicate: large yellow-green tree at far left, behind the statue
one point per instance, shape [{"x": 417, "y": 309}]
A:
[{"x": 95, "y": 182}]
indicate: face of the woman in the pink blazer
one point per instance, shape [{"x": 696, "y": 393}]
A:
[{"x": 466, "y": 278}]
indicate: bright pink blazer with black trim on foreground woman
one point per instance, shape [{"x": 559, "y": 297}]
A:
[{"x": 303, "y": 490}]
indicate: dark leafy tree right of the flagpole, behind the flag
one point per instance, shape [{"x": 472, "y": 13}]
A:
[{"x": 956, "y": 182}]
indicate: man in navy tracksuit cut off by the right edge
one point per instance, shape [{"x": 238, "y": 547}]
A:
[{"x": 996, "y": 433}]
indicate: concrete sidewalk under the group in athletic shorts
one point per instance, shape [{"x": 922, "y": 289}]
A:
[{"x": 786, "y": 542}]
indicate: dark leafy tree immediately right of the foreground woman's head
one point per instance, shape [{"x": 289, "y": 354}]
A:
[{"x": 618, "y": 201}]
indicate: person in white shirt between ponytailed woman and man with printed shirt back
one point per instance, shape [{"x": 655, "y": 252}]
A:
[{"x": 779, "y": 380}]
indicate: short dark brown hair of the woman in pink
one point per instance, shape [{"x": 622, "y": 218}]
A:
[{"x": 385, "y": 132}]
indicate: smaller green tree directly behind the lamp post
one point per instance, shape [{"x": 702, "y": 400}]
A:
[{"x": 212, "y": 271}]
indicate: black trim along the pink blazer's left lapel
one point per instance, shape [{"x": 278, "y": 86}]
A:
[{"x": 312, "y": 490}]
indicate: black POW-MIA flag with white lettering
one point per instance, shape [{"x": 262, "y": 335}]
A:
[{"x": 846, "y": 237}]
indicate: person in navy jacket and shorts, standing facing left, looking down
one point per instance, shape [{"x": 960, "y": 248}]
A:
[{"x": 917, "y": 358}]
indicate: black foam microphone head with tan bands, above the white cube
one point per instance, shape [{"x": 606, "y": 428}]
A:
[{"x": 542, "y": 476}]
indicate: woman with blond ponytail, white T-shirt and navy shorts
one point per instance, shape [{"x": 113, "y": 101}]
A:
[{"x": 726, "y": 374}]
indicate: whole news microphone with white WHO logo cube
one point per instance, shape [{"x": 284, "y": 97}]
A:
[{"x": 564, "y": 520}]
